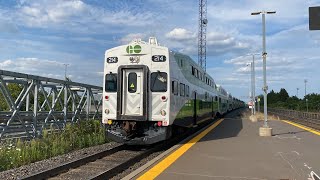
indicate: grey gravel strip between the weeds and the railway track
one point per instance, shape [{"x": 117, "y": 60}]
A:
[{"x": 26, "y": 170}]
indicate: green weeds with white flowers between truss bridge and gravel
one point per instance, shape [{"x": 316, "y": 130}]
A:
[{"x": 73, "y": 137}]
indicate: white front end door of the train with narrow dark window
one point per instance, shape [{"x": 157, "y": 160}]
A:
[{"x": 132, "y": 101}]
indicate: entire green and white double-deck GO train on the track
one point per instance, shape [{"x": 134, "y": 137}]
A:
[{"x": 150, "y": 91}]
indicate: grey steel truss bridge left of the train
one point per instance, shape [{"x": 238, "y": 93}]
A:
[{"x": 44, "y": 103}]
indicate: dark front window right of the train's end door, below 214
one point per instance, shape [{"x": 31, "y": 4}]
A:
[{"x": 159, "y": 82}]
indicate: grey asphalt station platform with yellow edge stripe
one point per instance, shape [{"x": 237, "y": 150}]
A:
[{"x": 234, "y": 150}]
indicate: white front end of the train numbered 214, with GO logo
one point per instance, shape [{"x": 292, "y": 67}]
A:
[{"x": 137, "y": 92}]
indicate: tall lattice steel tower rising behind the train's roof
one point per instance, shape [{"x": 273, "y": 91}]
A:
[{"x": 202, "y": 34}]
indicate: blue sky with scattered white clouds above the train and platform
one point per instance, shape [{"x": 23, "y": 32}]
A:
[{"x": 39, "y": 36}]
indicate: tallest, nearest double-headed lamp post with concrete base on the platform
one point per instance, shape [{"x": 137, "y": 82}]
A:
[{"x": 267, "y": 130}]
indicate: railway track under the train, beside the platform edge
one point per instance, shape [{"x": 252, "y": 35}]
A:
[{"x": 109, "y": 163}]
